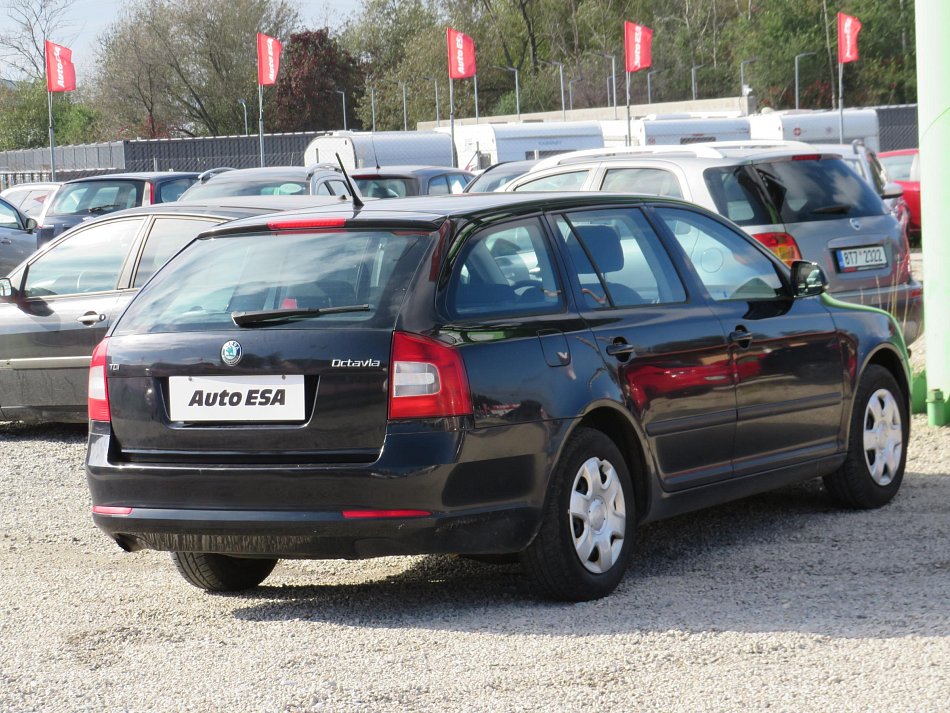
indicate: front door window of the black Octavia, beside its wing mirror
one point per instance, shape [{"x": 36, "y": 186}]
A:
[{"x": 730, "y": 267}]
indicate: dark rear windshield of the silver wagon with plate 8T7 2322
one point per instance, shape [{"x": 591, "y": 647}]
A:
[{"x": 817, "y": 189}]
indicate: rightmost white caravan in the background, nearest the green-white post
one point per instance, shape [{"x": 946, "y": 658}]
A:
[{"x": 817, "y": 127}]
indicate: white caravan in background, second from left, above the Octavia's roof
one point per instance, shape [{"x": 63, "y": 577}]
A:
[{"x": 481, "y": 145}]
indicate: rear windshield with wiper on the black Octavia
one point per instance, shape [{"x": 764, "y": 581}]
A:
[{"x": 215, "y": 277}]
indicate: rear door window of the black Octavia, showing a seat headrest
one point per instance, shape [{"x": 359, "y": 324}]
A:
[{"x": 619, "y": 260}]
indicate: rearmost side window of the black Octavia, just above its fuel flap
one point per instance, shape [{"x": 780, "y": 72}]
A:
[{"x": 504, "y": 271}]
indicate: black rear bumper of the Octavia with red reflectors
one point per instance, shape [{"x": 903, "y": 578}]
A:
[{"x": 480, "y": 491}]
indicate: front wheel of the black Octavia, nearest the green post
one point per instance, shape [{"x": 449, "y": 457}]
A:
[{"x": 873, "y": 471}]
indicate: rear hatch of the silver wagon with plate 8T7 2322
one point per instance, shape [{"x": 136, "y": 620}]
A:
[{"x": 834, "y": 217}]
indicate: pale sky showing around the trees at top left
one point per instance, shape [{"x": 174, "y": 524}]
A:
[{"x": 90, "y": 18}]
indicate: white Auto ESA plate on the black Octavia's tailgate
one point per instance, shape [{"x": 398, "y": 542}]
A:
[{"x": 236, "y": 398}]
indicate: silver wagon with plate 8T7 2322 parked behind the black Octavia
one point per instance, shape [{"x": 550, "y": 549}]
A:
[{"x": 797, "y": 201}]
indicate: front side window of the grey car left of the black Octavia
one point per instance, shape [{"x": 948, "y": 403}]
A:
[{"x": 89, "y": 260}]
